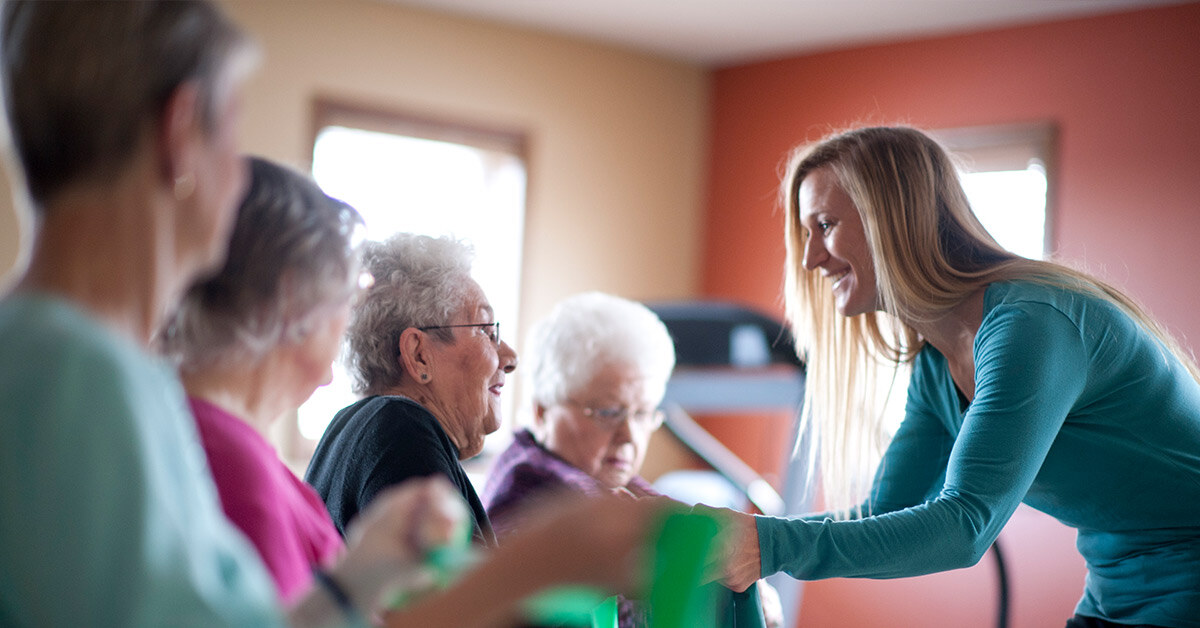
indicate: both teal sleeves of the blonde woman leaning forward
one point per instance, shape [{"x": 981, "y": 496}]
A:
[{"x": 988, "y": 469}]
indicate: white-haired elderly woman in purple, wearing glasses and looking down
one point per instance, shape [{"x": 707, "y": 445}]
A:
[{"x": 599, "y": 369}]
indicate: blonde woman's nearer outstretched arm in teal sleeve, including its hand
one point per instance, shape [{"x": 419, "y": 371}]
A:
[{"x": 1030, "y": 369}]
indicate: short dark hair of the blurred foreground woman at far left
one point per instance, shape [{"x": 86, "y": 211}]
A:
[{"x": 85, "y": 80}]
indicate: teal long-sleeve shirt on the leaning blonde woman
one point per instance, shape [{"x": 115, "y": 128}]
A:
[{"x": 1079, "y": 414}]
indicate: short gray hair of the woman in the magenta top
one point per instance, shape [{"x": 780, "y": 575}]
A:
[{"x": 292, "y": 255}]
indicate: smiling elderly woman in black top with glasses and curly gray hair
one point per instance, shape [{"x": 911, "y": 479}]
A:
[{"x": 425, "y": 350}]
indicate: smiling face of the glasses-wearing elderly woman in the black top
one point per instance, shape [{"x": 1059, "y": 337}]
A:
[{"x": 467, "y": 374}]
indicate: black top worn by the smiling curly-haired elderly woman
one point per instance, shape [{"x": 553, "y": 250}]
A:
[{"x": 381, "y": 441}]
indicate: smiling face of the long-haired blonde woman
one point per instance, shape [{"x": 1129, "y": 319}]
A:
[{"x": 837, "y": 243}]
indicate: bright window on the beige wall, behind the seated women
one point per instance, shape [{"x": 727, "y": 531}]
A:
[{"x": 411, "y": 175}]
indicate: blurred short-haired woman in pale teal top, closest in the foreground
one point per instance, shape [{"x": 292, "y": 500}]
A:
[{"x": 125, "y": 116}]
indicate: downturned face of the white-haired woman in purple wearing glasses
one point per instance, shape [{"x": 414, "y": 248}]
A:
[{"x": 613, "y": 454}]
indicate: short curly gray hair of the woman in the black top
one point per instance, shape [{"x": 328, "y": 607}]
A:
[{"x": 419, "y": 282}]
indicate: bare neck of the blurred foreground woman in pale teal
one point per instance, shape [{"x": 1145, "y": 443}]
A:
[{"x": 110, "y": 250}]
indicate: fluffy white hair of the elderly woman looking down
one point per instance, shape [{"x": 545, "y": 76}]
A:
[{"x": 589, "y": 332}]
